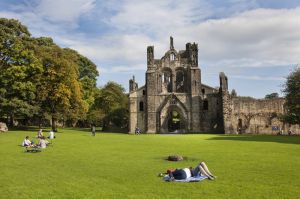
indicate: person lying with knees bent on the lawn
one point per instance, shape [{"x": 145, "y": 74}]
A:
[{"x": 199, "y": 170}]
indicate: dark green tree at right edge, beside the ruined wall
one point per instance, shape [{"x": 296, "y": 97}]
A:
[{"x": 292, "y": 95}]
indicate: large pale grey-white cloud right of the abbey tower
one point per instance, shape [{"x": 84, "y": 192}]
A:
[{"x": 261, "y": 35}]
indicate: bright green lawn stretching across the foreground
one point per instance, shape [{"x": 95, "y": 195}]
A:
[{"x": 126, "y": 166}]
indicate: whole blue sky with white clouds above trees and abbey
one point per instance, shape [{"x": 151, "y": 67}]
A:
[{"x": 256, "y": 43}]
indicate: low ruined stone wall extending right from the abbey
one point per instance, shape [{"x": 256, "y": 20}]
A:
[{"x": 257, "y": 116}]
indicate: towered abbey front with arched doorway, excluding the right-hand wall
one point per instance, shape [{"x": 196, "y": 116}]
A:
[{"x": 173, "y": 99}]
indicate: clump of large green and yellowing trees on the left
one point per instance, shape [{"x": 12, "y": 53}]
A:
[{"x": 38, "y": 77}]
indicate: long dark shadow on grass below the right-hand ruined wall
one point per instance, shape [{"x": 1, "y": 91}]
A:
[{"x": 259, "y": 138}]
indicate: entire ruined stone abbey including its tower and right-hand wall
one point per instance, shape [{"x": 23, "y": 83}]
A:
[{"x": 174, "y": 100}]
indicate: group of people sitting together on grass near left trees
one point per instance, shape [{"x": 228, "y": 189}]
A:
[{"x": 42, "y": 143}]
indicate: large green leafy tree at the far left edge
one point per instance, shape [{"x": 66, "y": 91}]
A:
[{"x": 20, "y": 71}]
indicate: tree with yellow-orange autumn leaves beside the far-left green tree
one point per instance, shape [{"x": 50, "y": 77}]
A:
[{"x": 60, "y": 92}]
